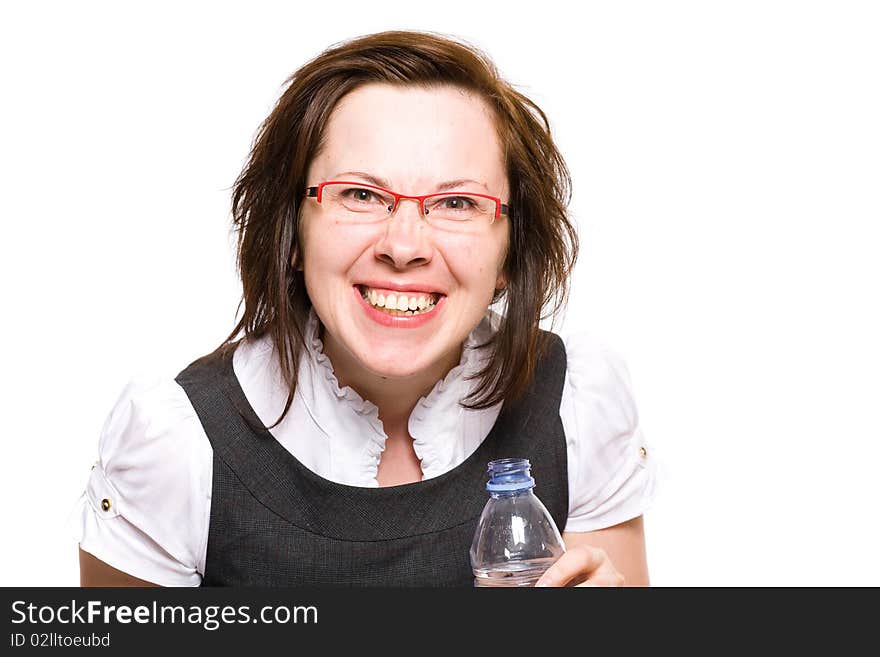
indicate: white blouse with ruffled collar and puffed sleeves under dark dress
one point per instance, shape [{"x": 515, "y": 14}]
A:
[{"x": 155, "y": 461}]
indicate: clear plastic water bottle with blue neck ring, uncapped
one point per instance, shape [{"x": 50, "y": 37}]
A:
[{"x": 516, "y": 539}]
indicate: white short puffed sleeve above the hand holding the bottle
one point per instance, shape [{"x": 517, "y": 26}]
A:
[{"x": 611, "y": 469}]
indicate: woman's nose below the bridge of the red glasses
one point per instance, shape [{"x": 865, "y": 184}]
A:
[{"x": 405, "y": 241}]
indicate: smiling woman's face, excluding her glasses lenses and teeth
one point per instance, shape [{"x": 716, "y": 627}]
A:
[{"x": 413, "y": 139}]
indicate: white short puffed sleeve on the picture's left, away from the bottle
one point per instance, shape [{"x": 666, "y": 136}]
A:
[{"x": 145, "y": 509}]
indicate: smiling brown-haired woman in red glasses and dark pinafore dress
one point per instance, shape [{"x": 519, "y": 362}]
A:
[{"x": 344, "y": 438}]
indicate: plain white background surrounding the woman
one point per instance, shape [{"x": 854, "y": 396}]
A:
[{"x": 725, "y": 159}]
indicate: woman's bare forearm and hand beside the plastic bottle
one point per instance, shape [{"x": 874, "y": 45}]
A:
[{"x": 614, "y": 556}]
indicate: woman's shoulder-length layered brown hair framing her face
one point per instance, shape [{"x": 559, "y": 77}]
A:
[{"x": 268, "y": 193}]
